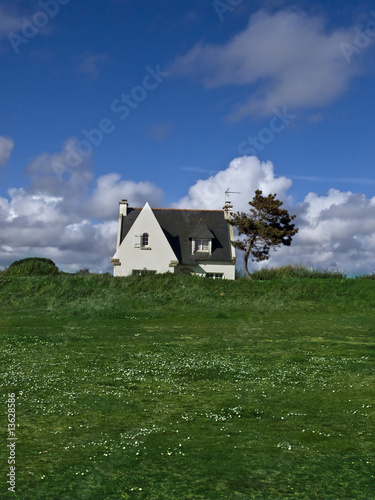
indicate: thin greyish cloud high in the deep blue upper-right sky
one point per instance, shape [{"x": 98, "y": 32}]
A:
[{"x": 284, "y": 58}]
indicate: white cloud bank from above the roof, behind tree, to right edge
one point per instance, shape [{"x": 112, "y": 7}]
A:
[{"x": 336, "y": 231}]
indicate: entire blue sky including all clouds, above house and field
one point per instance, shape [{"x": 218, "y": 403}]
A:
[{"x": 180, "y": 91}]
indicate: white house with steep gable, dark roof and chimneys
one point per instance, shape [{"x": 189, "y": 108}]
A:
[{"x": 157, "y": 240}]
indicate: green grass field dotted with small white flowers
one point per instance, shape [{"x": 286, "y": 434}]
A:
[{"x": 166, "y": 387}]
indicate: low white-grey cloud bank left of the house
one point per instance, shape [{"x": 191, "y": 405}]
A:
[{"x": 73, "y": 222}]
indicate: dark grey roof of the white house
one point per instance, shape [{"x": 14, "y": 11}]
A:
[{"x": 179, "y": 227}]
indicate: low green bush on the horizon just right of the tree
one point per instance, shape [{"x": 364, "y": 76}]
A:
[{"x": 296, "y": 271}]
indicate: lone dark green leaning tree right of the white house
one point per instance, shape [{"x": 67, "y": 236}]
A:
[{"x": 266, "y": 226}]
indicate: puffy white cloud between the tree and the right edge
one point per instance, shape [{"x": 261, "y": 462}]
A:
[{"x": 335, "y": 231}]
